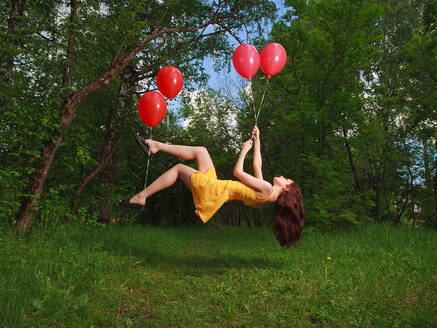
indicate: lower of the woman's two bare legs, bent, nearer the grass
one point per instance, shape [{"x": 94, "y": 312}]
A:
[{"x": 167, "y": 179}]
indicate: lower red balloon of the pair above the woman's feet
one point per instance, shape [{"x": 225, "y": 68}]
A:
[{"x": 152, "y": 108}]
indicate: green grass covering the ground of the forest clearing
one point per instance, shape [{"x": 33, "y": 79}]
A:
[{"x": 146, "y": 276}]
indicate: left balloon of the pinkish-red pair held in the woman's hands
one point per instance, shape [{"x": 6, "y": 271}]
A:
[{"x": 246, "y": 60}]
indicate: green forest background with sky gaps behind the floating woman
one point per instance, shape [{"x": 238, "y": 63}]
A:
[{"x": 352, "y": 116}]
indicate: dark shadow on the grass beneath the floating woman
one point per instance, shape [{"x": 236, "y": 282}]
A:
[{"x": 193, "y": 250}]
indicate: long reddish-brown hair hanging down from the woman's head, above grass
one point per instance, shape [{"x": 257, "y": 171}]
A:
[{"x": 289, "y": 216}]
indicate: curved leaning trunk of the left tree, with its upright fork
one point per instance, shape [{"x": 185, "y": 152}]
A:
[{"x": 68, "y": 110}]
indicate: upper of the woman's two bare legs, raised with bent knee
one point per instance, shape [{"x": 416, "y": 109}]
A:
[{"x": 199, "y": 153}]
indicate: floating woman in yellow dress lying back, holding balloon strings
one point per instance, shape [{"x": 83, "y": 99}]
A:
[{"x": 209, "y": 193}]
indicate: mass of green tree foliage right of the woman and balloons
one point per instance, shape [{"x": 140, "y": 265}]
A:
[{"x": 346, "y": 101}]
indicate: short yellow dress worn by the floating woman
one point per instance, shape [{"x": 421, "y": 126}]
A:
[{"x": 209, "y": 193}]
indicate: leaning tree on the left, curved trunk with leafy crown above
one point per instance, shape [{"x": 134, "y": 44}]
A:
[{"x": 147, "y": 24}]
